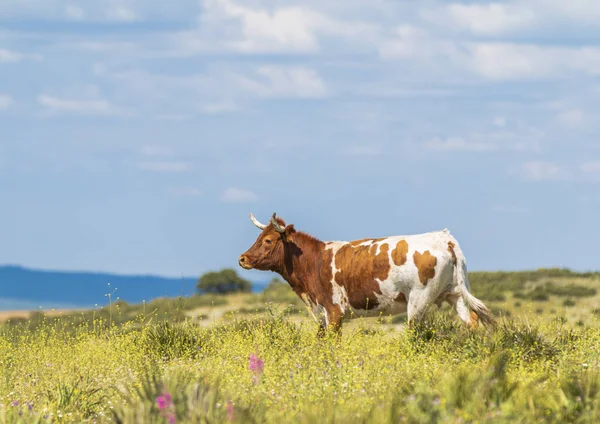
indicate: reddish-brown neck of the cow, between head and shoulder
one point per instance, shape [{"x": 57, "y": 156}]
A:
[{"x": 302, "y": 260}]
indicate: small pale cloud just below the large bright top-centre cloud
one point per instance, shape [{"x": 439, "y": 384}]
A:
[{"x": 285, "y": 82}]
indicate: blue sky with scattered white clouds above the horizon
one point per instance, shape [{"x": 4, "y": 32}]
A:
[{"x": 137, "y": 136}]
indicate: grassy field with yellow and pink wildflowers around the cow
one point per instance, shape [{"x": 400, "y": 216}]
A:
[{"x": 256, "y": 358}]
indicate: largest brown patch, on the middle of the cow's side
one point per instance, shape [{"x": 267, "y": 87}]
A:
[{"x": 359, "y": 268}]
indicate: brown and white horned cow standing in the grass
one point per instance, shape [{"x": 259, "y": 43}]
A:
[{"x": 368, "y": 277}]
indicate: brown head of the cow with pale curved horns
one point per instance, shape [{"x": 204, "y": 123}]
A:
[{"x": 267, "y": 252}]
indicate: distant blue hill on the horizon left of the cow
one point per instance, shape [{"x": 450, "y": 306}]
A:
[{"x": 23, "y": 288}]
